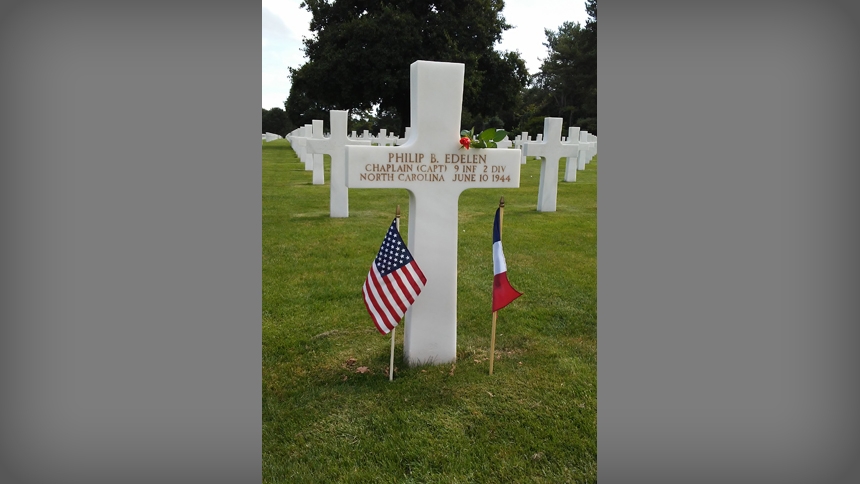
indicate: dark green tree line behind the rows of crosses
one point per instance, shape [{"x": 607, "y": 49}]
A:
[{"x": 361, "y": 50}]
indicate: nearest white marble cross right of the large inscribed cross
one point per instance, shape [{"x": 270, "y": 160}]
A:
[{"x": 550, "y": 150}]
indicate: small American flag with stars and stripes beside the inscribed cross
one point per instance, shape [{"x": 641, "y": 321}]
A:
[{"x": 393, "y": 283}]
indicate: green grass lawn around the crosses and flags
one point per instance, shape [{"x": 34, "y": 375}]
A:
[{"x": 330, "y": 414}]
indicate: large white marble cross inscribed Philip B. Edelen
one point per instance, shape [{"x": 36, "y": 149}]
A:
[{"x": 434, "y": 170}]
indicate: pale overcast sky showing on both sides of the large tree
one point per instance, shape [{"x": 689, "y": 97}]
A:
[{"x": 285, "y": 24}]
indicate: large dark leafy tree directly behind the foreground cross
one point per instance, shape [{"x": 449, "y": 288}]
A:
[{"x": 360, "y": 55}]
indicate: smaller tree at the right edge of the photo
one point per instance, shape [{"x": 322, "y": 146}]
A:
[{"x": 568, "y": 76}]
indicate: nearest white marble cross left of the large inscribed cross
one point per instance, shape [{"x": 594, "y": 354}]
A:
[{"x": 335, "y": 147}]
